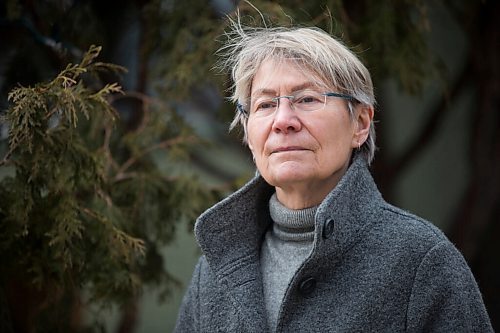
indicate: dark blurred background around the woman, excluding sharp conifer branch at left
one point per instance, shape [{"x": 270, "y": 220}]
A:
[{"x": 436, "y": 69}]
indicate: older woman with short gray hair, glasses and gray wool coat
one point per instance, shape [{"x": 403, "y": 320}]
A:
[{"x": 309, "y": 245}]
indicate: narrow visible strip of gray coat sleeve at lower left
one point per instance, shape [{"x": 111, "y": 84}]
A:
[{"x": 188, "y": 317}]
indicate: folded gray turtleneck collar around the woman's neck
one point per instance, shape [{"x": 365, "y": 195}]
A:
[{"x": 291, "y": 224}]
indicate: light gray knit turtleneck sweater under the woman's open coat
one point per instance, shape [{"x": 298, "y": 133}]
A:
[{"x": 286, "y": 245}]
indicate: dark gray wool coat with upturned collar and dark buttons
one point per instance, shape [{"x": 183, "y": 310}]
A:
[{"x": 373, "y": 268}]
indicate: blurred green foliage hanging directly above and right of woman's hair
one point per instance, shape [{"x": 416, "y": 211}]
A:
[{"x": 388, "y": 35}]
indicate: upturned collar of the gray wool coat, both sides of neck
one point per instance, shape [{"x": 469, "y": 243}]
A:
[{"x": 232, "y": 230}]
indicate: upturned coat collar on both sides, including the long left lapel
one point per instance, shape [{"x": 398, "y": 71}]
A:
[{"x": 231, "y": 232}]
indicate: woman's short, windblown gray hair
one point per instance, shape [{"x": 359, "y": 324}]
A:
[{"x": 326, "y": 58}]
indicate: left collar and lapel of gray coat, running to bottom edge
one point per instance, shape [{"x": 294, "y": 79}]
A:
[{"x": 230, "y": 235}]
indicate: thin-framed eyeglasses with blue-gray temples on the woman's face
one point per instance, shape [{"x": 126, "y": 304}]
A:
[{"x": 305, "y": 100}]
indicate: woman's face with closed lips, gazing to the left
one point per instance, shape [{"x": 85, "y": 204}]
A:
[{"x": 302, "y": 153}]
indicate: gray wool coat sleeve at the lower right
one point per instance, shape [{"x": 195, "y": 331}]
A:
[{"x": 445, "y": 296}]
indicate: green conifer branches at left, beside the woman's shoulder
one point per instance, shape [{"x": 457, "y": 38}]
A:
[{"x": 87, "y": 207}]
